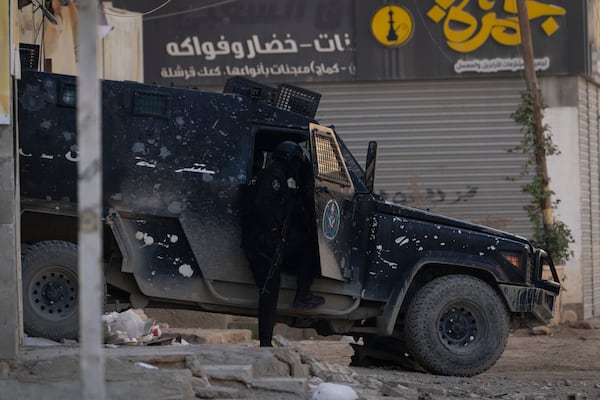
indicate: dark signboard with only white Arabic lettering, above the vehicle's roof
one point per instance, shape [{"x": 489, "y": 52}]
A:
[{"x": 192, "y": 43}]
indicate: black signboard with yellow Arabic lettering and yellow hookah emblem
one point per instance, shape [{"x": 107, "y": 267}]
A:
[{"x": 455, "y": 38}]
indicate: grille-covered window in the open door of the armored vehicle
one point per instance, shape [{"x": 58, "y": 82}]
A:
[{"x": 329, "y": 160}]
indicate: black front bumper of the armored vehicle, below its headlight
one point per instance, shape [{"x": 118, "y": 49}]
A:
[{"x": 534, "y": 301}]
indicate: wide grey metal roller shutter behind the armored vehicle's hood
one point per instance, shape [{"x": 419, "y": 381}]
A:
[{"x": 443, "y": 145}]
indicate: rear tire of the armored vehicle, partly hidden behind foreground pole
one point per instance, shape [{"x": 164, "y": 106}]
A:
[{"x": 51, "y": 290}]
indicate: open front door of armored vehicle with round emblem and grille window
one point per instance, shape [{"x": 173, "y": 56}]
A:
[{"x": 334, "y": 206}]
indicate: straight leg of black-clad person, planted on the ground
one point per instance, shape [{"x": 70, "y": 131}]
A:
[{"x": 267, "y": 301}]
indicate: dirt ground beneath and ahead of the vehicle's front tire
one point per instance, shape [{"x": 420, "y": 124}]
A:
[{"x": 562, "y": 364}]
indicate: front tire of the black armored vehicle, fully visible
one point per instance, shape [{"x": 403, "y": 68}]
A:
[{"x": 456, "y": 325}]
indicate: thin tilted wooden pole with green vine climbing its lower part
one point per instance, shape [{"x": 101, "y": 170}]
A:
[{"x": 532, "y": 86}]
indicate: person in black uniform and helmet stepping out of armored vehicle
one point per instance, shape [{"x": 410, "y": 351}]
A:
[{"x": 281, "y": 193}]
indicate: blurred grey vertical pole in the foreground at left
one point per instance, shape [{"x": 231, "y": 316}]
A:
[{"x": 90, "y": 205}]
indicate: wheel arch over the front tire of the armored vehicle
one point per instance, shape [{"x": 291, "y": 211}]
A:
[{"x": 420, "y": 275}]
